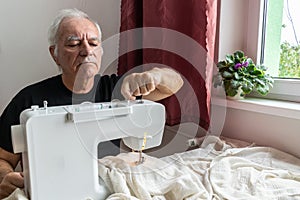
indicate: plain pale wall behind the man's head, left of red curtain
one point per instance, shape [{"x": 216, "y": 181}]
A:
[{"x": 24, "y": 56}]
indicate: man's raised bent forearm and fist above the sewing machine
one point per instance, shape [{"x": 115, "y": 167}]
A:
[{"x": 155, "y": 84}]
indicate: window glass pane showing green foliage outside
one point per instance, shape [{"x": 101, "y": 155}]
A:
[{"x": 281, "y": 38}]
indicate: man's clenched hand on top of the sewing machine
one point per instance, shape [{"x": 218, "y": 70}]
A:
[{"x": 138, "y": 84}]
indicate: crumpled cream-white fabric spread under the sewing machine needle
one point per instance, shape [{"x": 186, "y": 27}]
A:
[{"x": 216, "y": 171}]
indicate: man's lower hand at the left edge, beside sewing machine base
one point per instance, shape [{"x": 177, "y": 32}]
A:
[{"x": 10, "y": 182}]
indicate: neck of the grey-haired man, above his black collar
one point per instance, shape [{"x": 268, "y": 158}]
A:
[{"x": 78, "y": 85}]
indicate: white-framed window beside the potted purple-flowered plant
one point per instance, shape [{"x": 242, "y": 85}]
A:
[{"x": 279, "y": 45}]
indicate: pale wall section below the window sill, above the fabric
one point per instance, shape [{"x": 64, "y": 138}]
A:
[{"x": 263, "y": 129}]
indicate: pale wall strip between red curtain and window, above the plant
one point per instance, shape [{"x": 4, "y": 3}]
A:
[{"x": 239, "y": 31}]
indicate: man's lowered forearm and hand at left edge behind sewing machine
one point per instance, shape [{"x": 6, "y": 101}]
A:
[{"x": 9, "y": 180}]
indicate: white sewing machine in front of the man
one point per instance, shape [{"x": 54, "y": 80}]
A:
[{"x": 59, "y": 144}]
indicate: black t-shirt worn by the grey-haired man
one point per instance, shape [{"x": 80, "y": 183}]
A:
[{"x": 55, "y": 93}]
